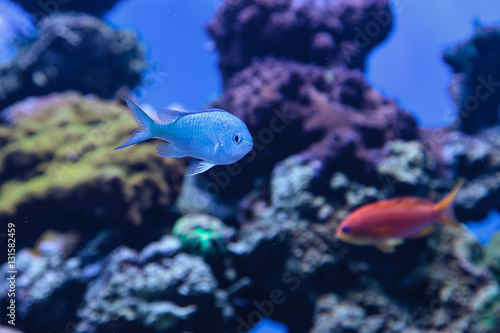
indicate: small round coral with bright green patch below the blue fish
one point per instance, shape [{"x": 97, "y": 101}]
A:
[{"x": 202, "y": 234}]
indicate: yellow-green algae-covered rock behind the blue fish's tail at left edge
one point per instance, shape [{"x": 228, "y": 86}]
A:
[{"x": 57, "y": 164}]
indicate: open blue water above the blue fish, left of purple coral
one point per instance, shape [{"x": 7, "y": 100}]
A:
[{"x": 184, "y": 69}]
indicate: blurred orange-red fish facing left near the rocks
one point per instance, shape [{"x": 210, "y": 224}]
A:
[{"x": 385, "y": 224}]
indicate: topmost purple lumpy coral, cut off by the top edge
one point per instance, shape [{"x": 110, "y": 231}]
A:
[{"x": 328, "y": 33}]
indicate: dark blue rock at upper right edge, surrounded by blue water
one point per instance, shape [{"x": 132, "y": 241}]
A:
[{"x": 475, "y": 84}]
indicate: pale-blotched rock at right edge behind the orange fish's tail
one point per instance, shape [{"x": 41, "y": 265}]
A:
[{"x": 473, "y": 157}]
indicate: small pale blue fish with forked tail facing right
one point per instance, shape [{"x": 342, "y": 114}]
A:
[{"x": 213, "y": 136}]
